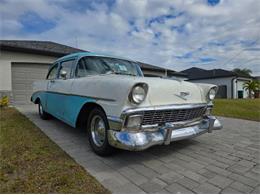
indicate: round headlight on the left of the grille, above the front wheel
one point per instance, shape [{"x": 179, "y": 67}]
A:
[{"x": 138, "y": 93}]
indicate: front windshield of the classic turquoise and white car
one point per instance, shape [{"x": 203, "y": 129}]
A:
[{"x": 104, "y": 65}]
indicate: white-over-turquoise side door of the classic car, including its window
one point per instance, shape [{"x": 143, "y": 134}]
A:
[{"x": 59, "y": 90}]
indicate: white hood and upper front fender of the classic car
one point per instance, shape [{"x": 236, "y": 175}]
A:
[{"x": 160, "y": 91}]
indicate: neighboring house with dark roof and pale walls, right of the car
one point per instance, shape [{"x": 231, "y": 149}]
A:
[{"x": 230, "y": 83}]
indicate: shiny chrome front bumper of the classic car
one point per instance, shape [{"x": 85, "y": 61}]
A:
[{"x": 136, "y": 141}]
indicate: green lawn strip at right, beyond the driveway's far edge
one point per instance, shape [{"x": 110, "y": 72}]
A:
[{"x": 238, "y": 108}]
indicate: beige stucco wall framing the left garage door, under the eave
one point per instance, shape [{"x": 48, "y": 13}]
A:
[{"x": 7, "y": 57}]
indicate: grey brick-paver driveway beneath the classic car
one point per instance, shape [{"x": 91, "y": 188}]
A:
[{"x": 225, "y": 161}]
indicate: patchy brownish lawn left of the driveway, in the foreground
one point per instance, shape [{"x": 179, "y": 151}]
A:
[{"x": 31, "y": 163}]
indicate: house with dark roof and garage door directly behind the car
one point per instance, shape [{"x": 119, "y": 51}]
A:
[{"x": 22, "y": 62}]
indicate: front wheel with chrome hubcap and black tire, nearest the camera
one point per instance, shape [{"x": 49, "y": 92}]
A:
[{"x": 97, "y": 132}]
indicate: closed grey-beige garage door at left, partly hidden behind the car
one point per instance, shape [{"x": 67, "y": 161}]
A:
[{"x": 23, "y": 75}]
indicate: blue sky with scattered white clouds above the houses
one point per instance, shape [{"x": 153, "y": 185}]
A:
[{"x": 174, "y": 34}]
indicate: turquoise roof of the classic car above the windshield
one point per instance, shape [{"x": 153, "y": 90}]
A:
[{"x": 83, "y": 54}]
